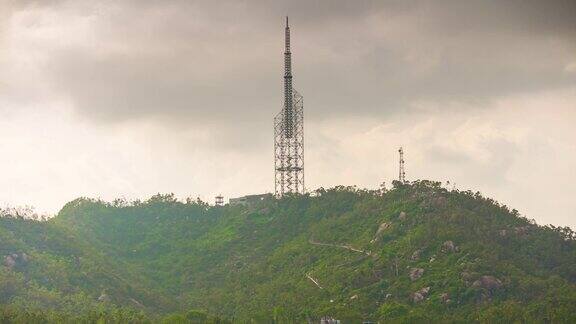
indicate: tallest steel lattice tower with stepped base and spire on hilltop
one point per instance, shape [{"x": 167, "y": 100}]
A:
[{"x": 289, "y": 134}]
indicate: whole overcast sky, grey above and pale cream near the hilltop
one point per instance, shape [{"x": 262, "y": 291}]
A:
[{"x": 130, "y": 98}]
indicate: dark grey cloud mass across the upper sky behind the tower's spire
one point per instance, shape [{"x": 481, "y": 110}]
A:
[{"x": 201, "y": 60}]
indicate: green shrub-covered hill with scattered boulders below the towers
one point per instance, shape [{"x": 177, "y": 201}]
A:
[{"x": 415, "y": 253}]
